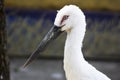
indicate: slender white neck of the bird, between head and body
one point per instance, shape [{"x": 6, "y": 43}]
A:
[{"x": 73, "y": 43}]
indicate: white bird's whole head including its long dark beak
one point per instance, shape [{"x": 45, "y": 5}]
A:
[{"x": 65, "y": 20}]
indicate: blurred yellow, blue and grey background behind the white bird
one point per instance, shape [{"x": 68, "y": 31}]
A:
[{"x": 27, "y": 21}]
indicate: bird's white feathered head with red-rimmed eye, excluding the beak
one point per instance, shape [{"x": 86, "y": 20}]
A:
[{"x": 68, "y": 17}]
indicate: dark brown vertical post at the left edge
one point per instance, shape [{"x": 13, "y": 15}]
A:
[{"x": 4, "y": 66}]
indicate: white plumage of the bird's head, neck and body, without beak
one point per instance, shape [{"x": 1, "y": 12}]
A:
[{"x": 72, "y": 20}]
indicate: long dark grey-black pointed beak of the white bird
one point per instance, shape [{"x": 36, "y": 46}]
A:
[{"x": 50, "y": 36}]
